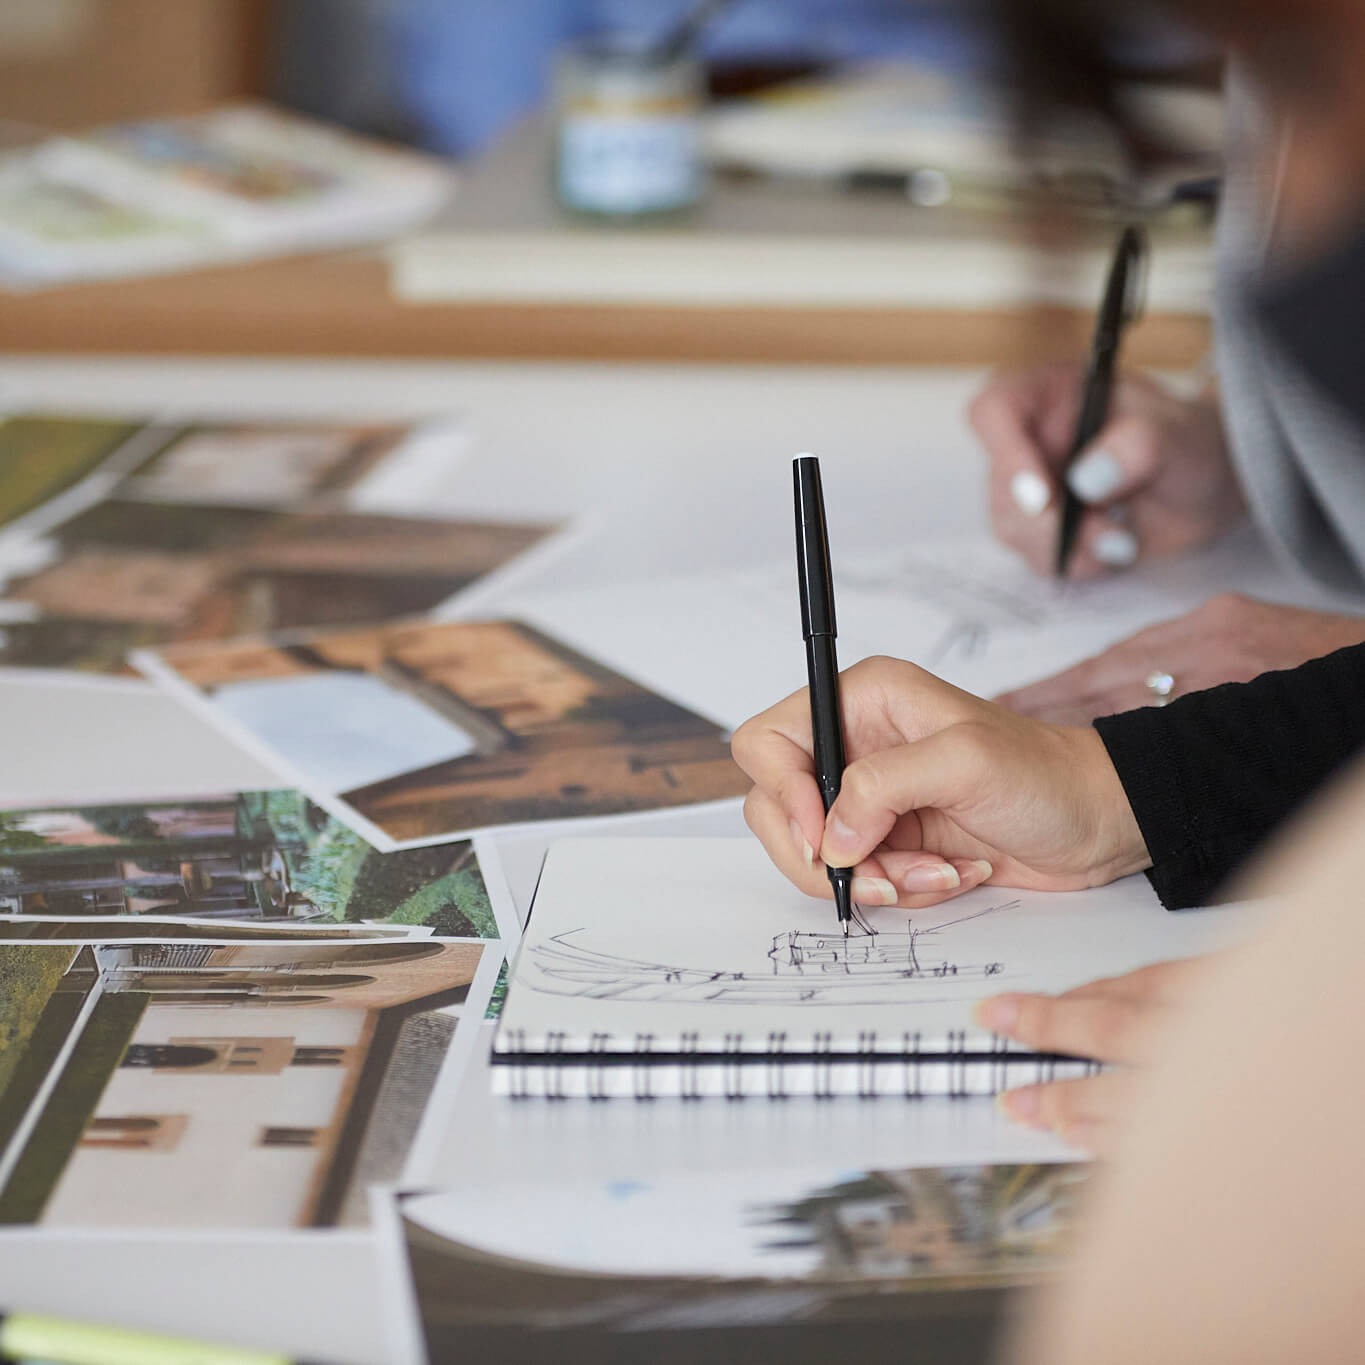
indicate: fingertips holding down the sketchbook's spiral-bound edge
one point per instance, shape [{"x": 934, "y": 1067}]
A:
[{"x": 1113, "y": 1020}]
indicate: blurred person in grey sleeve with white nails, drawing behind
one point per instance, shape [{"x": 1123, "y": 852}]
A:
[{"x": 1172, "y": 474}]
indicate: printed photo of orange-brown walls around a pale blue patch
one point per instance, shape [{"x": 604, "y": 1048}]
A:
[{"x": 427, "y": 731}]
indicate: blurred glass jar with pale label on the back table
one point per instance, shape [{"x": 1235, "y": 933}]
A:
[{"x": 630, "y": 130}]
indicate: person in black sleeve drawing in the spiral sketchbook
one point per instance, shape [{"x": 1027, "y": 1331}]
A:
[{"x": 947, "y": 791}]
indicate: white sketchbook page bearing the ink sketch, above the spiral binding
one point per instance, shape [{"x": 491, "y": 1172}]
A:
[{"x": 705, "y": 941}]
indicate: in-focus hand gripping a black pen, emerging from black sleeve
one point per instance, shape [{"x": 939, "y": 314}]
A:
[{"x": 943, "y": 792}]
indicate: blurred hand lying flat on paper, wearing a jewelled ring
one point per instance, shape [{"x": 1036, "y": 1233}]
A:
[{"x": 1229, "y": 640}]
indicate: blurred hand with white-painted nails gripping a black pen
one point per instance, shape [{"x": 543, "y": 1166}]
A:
[{"x": 1157, "y": 481}]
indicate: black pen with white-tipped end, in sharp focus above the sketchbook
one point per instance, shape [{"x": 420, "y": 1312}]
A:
[{"x": 822, "y": 665}]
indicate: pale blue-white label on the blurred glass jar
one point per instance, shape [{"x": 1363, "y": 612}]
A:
[{"x": 629, "y": 166}]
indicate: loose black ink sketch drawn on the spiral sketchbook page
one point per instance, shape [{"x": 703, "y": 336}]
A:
[{"x": 870, "y": 967}]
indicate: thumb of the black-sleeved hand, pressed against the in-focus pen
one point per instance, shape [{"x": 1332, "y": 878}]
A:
[{"x": 947, "y": 769}]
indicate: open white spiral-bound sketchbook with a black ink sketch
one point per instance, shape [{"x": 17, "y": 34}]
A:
[{"x": 657, "y": 967}]
